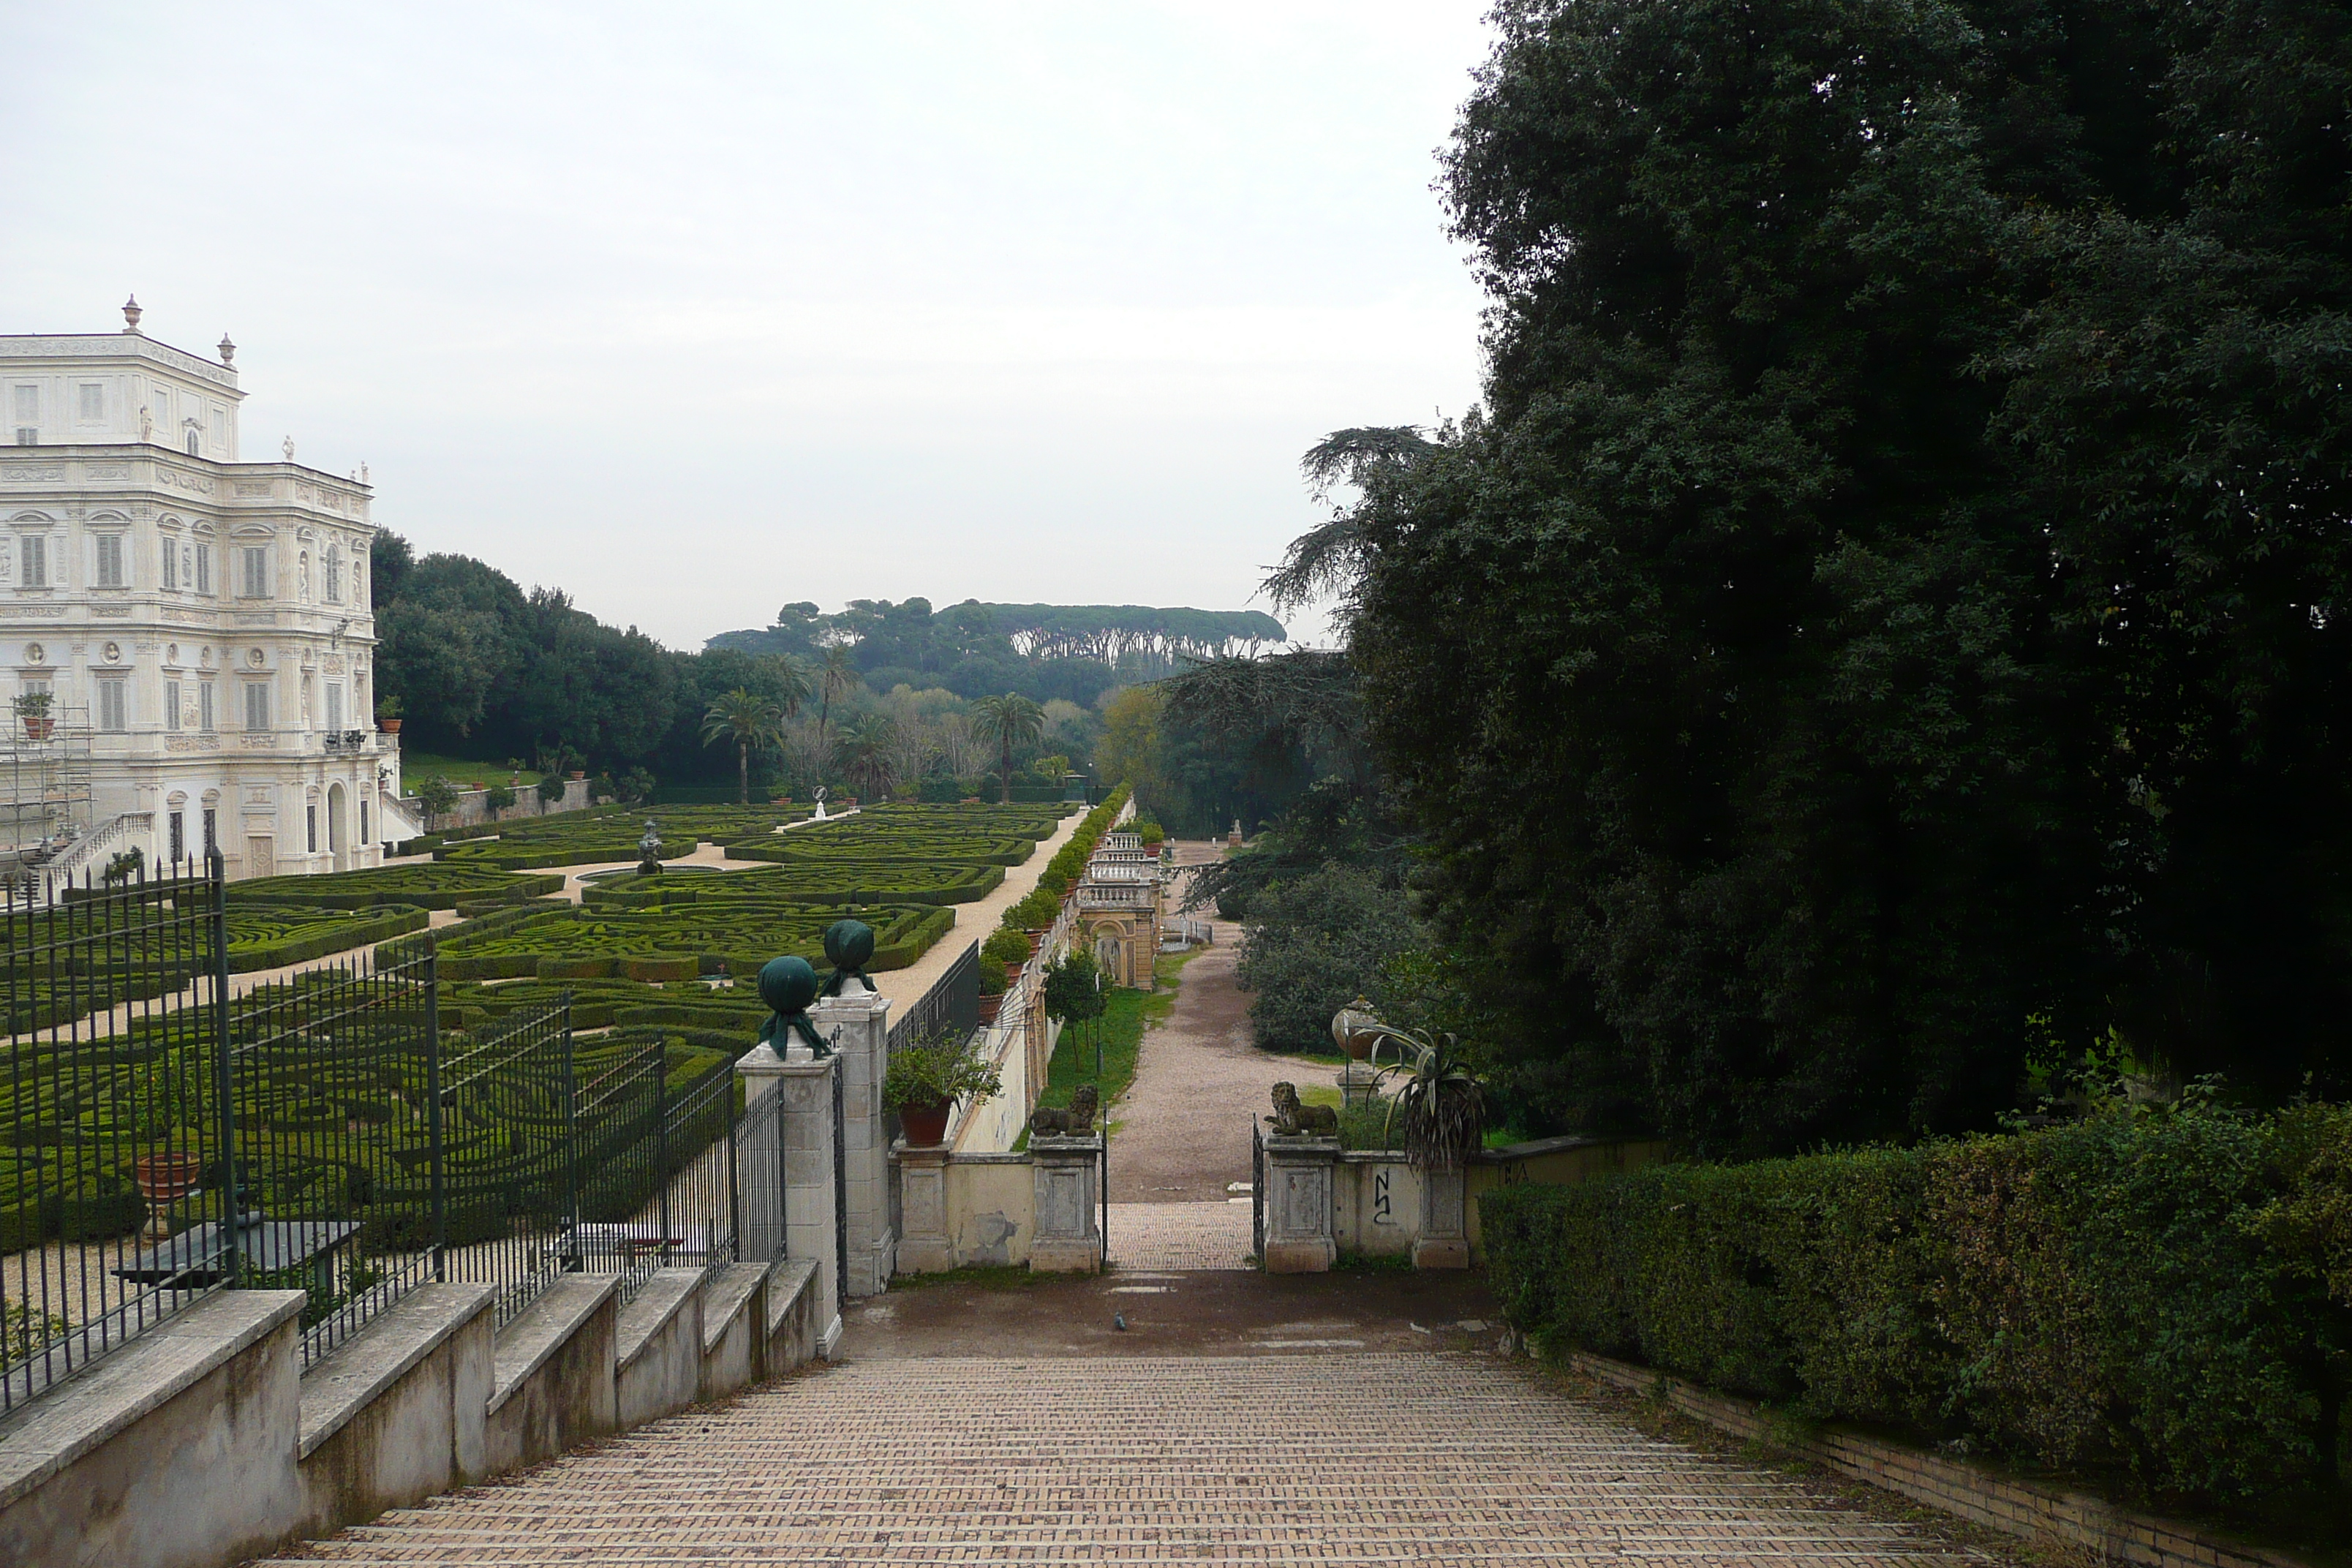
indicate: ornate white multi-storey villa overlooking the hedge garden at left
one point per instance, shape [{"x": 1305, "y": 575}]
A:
[{"x": 199, "y": 624}]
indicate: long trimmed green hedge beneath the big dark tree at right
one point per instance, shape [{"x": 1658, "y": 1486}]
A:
[{"x": 2137, "y": 1299}]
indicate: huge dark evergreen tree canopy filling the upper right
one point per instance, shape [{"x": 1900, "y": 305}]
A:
[{"x": 1885, "y": 629}]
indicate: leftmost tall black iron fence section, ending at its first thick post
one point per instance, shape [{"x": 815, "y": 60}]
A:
[{"x": 116, "y": 1132}]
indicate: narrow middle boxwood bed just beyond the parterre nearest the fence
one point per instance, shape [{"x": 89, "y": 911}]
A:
[{"x": 681, "y": 944}]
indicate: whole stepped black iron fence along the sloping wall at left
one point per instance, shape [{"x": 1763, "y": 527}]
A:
[{"x": 168, "y": 1137}]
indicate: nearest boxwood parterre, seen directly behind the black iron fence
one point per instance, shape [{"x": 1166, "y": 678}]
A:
[{"x": 86, "y": 1111}]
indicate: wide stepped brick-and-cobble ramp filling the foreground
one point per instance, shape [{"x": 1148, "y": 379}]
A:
[{"x": 1318, "y": 1459}]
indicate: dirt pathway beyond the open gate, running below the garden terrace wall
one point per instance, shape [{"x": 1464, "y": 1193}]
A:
[{"x": 1198, "y": 1083}]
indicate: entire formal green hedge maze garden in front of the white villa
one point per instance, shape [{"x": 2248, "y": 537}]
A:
[{"x": 340, "y": 1113}]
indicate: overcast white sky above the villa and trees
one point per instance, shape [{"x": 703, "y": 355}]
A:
[{"x": 695, "y": 311}]
